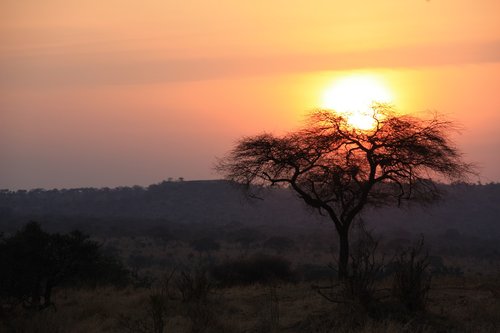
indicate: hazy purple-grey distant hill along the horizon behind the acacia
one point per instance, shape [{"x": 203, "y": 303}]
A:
[{"x": 469, "y": 209}]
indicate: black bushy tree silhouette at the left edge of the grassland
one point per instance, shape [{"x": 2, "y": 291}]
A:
[{"x": 34, "y": 262}]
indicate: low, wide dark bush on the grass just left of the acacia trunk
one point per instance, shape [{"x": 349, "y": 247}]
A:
[{"x": 257, "y": 269}]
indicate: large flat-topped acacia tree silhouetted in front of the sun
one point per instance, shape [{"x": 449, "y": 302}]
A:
[{"x": 339, "y": 170}]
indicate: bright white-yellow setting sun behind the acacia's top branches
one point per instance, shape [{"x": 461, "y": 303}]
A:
[{"x": 354, "y": 96}]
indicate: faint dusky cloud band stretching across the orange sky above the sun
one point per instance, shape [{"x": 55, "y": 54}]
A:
[{"x": 118, "y": 67}]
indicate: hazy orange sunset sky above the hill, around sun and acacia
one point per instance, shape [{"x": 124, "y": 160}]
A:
[{"x": 109, "y": 93}]
